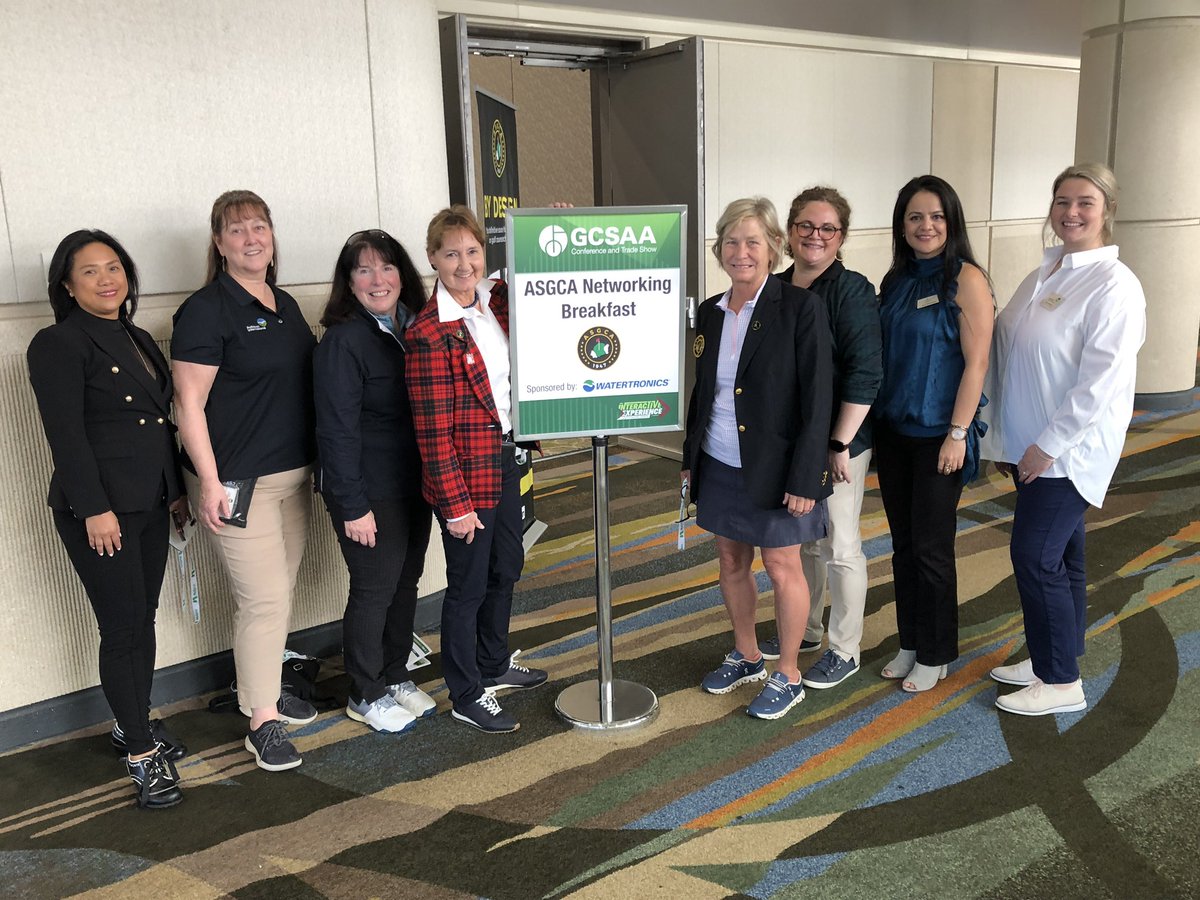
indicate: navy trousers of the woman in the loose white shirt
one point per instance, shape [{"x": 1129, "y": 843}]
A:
[{"x": 1048, "y": 560}]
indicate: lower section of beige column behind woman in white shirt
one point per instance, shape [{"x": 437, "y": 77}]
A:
[{"x": 1167, "y": 362}]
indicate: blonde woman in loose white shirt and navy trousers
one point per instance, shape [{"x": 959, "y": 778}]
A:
[{"x": 1063, "y": 383}]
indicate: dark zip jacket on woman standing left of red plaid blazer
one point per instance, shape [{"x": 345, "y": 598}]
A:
[{"x": 367, "y": 445}]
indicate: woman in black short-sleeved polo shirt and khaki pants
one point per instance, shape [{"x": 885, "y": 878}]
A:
[{"x": 242, "y": 358}]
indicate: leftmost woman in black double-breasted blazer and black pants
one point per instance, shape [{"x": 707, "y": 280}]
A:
[{"x": 104, "y": 391}]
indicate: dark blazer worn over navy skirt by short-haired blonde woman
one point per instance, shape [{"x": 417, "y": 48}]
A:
[{"x": 783, "y": 394}]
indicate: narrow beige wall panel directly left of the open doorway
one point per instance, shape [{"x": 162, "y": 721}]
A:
[{"x": 406, "y": 99}]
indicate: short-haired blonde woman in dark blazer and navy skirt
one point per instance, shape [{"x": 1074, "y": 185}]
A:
[{"x": 755, "y": 453}]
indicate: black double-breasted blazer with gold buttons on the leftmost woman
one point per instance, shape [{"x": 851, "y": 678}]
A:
[{"x": 106, "y": 417}]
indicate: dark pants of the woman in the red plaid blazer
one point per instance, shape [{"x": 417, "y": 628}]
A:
[{"x": 479, "y": 592}]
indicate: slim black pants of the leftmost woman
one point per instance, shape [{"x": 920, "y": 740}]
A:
[{"x": 124, "y": 593}]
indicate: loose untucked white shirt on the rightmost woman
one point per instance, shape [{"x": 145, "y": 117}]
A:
[{"x": 1064, "y": 364}]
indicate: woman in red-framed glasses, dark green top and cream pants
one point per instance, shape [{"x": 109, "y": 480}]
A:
[{"x": 817, "y": 232}]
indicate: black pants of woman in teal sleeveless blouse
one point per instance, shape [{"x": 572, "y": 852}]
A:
[{"x": 922, "y": 509}]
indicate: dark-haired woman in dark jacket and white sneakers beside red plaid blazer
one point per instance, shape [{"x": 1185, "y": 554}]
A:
[{"x": 370, "y": 472}]
